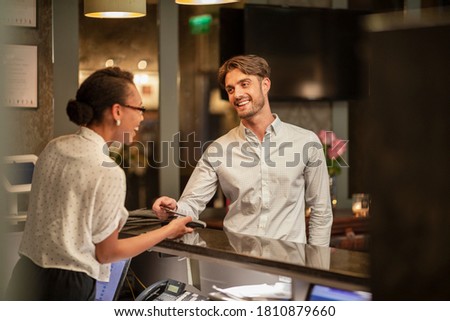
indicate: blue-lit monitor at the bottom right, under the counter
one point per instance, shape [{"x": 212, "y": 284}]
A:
[{"x": 325, "y": 293}]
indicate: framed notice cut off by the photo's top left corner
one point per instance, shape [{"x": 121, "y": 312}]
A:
[{"x": 20, "y": 13}]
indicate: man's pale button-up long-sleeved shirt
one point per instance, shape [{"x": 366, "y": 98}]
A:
[{"x": 267, "y": 183}]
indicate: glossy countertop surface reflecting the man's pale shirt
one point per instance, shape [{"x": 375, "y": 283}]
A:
[{"x": 350, "y": 263}]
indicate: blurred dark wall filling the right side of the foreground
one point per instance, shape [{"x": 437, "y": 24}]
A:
[{"x": 407, "y": 159}]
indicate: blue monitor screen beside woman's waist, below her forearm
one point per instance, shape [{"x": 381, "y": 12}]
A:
[{"x": 109, "y": 291}]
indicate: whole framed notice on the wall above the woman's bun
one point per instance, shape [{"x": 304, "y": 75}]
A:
[{"x": 21, "y": 75}]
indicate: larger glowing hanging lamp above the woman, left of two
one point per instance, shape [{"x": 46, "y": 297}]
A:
[{"x": 115, "y": 8}]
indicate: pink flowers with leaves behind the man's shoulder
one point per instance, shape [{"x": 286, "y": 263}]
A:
[{"x": 333, "y": 148}]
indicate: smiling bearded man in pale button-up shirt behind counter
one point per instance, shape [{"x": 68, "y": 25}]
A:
[{"x": 270, "y": 171}]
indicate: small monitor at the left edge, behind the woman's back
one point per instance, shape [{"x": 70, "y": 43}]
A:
[{"x": 18, "y": 172}]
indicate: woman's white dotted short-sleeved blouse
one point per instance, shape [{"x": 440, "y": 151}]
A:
[{"x": 77, "y": 200}]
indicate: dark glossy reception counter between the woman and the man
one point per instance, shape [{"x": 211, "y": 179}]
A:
[{"x": 303, "y": 263}]
